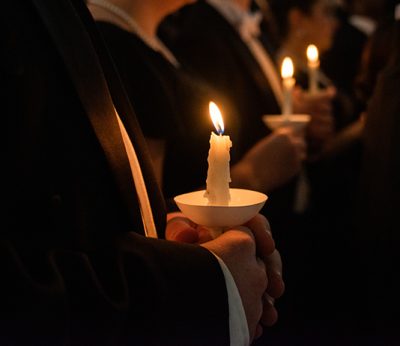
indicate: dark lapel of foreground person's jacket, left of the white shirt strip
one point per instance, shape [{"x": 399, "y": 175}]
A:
[{"x": 100, "y": 111}]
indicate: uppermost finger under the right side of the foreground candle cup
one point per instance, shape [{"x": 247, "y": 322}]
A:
[{"x": 260, "y": 228}]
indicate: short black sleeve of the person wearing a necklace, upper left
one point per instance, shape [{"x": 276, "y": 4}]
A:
[{"x": 146, "y": 87}]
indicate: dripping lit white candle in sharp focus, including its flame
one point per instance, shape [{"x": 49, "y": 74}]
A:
[{"x": 218, "y": 174}]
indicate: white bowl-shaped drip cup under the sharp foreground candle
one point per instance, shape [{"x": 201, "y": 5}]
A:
[{"x": 243, "y": 206}]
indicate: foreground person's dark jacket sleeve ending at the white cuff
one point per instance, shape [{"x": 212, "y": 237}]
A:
[{"x": 141, "y": 292}]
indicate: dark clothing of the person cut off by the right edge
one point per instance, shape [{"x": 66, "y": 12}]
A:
[{"x": 378, "y": 238}]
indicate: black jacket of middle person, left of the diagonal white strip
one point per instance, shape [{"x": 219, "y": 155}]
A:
[{"x": 216, "y": 53}]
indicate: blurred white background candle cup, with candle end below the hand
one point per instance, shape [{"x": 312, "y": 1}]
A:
[{"x": 298, "y": 122}]
